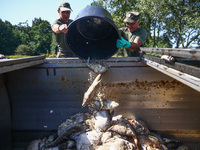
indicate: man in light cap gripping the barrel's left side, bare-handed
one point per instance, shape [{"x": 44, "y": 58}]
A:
[{"x": 60, "y": 27}]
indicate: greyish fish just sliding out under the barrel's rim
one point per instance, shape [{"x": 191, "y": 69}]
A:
[{"x": 97, "y": 68}]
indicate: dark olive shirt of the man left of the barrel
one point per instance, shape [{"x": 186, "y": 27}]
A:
[{"x": 60, "y": 37}]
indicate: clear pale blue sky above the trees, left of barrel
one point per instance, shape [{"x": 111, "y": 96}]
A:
[{"x": 16, "y": 11}]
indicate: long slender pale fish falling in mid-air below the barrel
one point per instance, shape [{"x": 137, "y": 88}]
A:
[{"x": 89, "y": 95}]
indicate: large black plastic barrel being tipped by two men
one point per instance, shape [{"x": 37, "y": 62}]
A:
[{"x": 93, "y": 34}]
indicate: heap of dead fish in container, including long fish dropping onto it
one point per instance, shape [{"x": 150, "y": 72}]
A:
[{"x": 101, "y": 130}]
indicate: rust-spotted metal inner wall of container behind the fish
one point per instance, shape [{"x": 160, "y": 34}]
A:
[{"x": 42, "y": 97}]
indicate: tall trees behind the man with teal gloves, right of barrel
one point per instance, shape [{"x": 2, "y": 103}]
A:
[{"x": 172, "y": 22}]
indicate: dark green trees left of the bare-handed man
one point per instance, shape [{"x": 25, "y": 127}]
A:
[{"x": 24, "y": 39}]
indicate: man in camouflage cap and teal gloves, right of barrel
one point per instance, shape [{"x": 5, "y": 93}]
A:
[{"x": 132, "y": 36}]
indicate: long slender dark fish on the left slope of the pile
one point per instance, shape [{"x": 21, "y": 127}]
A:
[{"x": 70, "y": 130}]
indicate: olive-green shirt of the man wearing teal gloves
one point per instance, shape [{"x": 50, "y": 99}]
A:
[{"x": 140, "y": 33}]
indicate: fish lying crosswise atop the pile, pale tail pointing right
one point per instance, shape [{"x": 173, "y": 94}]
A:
[{"x": 104, "y": 104}]
